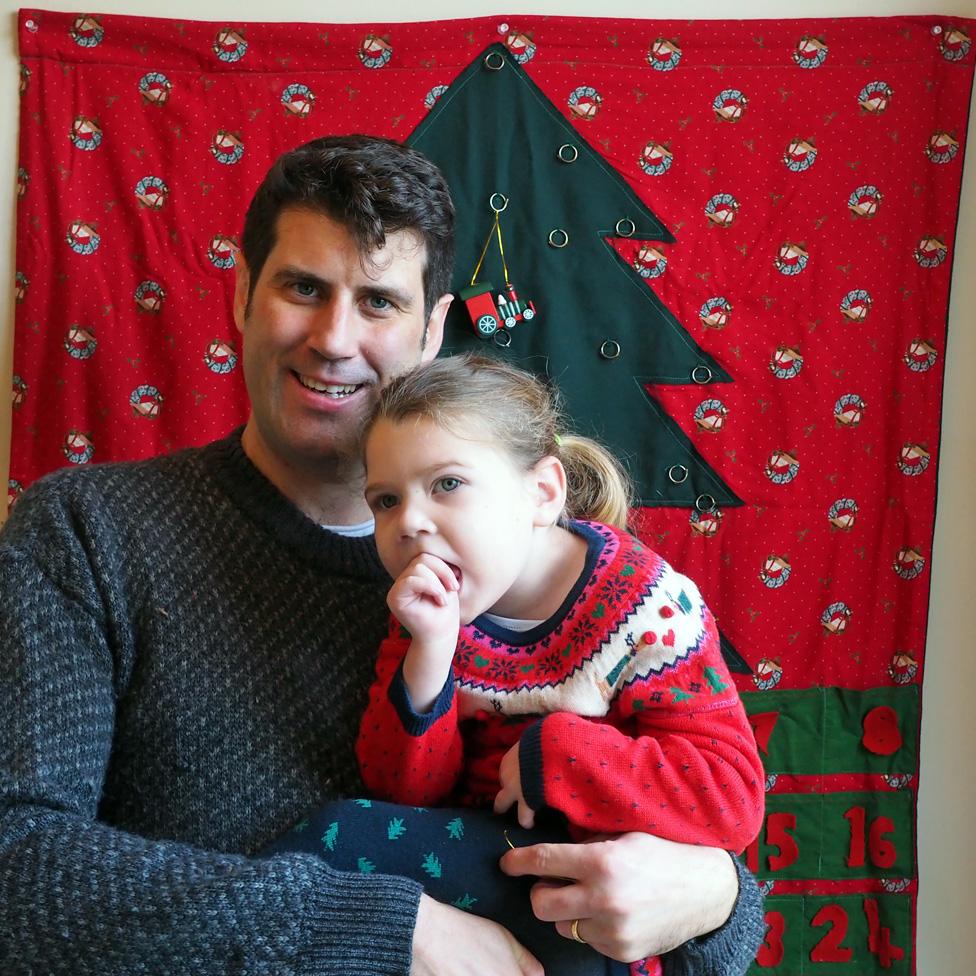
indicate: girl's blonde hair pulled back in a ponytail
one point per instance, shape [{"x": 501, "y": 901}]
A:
[{"x": 519, "y": 412}]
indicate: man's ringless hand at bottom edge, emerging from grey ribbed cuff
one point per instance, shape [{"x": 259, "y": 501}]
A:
[{"x": 449, "y": 942}]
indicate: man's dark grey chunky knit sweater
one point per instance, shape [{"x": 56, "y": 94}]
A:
[{"x": 185, "y": 658}]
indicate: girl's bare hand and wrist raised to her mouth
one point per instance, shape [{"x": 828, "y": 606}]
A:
[{"x": 424, "y": 598}]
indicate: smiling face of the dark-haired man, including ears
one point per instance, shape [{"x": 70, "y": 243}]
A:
[{"x": 324, "y": 331}]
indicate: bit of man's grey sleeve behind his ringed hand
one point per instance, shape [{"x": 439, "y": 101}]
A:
[{"x": 730, "y": 950}]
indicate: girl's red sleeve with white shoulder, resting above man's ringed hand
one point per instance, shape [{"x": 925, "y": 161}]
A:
[{"x": 676, "y": 756}]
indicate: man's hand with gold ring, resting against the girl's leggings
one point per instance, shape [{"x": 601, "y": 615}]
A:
[{"x": 635, "y": 895}]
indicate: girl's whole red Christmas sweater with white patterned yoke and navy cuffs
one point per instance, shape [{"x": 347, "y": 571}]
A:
[{"x": 625, "y": 714}]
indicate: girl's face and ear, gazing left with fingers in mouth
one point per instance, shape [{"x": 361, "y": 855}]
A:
[{"x": 464, "y": 500}]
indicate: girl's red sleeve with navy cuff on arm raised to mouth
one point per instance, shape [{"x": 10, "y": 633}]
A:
[{"x": 406, "y": 756}]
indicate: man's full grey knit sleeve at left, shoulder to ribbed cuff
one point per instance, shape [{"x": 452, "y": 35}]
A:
[{"x": 80, "y": 897}]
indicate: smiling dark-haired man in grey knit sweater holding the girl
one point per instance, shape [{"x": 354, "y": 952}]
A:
[{"x": 187, "y": 652}]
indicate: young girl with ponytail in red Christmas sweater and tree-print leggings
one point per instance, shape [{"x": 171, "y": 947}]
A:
[{"x": 535, "y": 660}]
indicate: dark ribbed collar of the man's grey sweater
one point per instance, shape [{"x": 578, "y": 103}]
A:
[{"x": 283, "y": 521}]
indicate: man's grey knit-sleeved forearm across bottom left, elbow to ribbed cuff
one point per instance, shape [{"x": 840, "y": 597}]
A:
[{"x": 133, "y": 905}]
